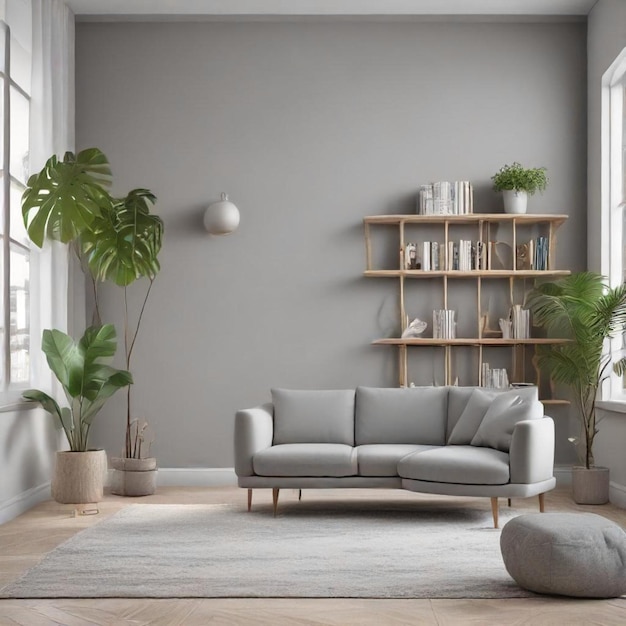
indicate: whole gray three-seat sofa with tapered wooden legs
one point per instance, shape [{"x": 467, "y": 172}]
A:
[{"x": 458, "y": 441}]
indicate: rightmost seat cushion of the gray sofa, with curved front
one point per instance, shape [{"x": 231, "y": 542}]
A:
[{"x": 464, "y": 465}]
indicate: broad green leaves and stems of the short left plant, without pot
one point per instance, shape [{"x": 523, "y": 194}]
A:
[{"x": 82, "y": 368}]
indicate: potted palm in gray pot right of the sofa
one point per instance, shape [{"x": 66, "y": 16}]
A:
[{"x": 584, "y": 309}]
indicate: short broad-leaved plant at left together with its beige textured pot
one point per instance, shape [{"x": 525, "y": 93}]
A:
[{"x": 82, "y": 368}]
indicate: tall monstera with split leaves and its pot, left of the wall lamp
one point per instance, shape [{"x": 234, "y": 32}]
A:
[{"x": 116, "y": 240}]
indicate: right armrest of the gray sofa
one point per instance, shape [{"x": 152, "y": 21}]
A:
[{"x": 531, "y": 455}]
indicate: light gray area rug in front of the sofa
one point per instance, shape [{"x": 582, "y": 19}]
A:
[{"x": 311, "y": 550}]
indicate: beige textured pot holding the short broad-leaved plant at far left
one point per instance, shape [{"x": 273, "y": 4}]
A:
[{"x": 79, "y": 477}]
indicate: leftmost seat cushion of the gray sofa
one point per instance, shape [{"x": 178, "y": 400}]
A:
[{"x": 306, "y": 459}]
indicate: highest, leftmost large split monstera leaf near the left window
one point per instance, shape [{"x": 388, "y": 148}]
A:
[{"x": 65, "y": 197}]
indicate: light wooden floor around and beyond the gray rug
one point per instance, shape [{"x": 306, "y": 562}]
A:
[{"x": 25, "y": 540}]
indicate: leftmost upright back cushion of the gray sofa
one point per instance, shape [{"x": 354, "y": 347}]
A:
[{"x": 313, "y": 416}]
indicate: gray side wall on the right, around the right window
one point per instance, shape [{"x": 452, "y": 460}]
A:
[{"x": 606, "y": 39}]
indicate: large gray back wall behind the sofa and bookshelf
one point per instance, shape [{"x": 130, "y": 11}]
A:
[{"x": 309, "y": 126}]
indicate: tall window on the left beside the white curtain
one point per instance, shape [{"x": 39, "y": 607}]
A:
[{"x": 15, "y": 256}]
